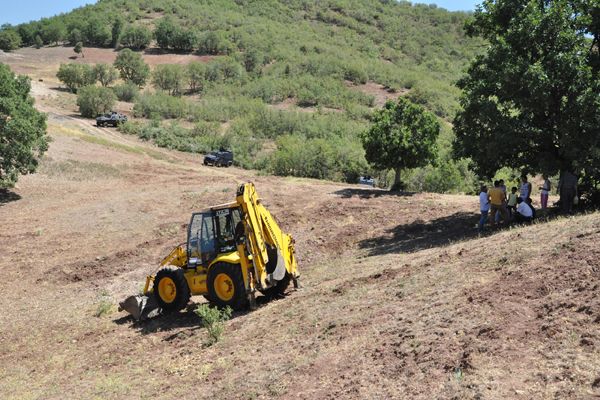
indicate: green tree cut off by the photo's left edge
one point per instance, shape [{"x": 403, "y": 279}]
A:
[{"x": 22, "y": 128}]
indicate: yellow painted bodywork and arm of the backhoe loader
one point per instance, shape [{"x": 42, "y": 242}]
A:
[{"x": 263, "y": 253}]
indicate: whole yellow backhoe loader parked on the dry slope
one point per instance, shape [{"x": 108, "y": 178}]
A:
[{"x": 232, "y": 251}]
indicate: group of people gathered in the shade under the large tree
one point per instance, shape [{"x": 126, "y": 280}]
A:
[{"x": 509, "y": 206}]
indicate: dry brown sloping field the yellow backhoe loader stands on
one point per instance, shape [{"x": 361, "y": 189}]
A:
[{"x": 401, "y": 298}]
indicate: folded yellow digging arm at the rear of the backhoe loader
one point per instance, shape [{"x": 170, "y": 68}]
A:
[{"x": 265, "y": 240}]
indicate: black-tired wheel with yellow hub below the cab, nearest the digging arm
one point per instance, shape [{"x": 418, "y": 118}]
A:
[{"x": 238, "y": 300}]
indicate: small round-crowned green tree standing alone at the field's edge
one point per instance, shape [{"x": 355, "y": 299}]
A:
[{"x": 402, "y": 135}]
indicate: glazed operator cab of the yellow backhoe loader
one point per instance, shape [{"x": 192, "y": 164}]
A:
[{"x": 212, "y": 233}]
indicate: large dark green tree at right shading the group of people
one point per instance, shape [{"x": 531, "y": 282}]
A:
[{"x": 531, "y": 102}]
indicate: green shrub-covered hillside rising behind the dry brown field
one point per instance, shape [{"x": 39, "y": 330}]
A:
[{"x": 288, "y": 85}]
